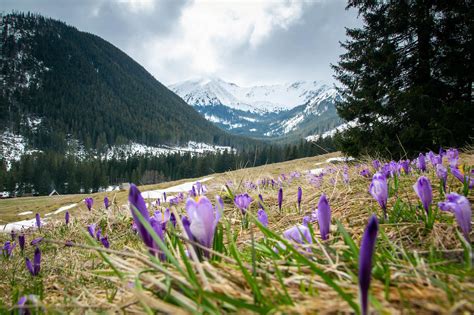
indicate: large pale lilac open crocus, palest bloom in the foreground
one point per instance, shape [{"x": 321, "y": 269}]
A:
[{"x": 203, "y": 220}]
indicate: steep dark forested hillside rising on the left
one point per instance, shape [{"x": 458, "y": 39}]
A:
[{"x": 62, "y": 84}]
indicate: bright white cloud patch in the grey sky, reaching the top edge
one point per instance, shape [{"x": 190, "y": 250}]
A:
[{"x": 207, "y": 30}]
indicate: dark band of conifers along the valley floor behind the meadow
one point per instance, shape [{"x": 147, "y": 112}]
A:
[{"x": 41, "y": 173}]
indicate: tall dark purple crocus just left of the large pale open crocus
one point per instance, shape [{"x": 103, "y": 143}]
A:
[{"x": 138, "y": 208}]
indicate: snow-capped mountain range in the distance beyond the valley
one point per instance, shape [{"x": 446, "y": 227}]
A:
[{"x": 298, "y": 108}]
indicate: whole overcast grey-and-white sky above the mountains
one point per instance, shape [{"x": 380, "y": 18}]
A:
[{"x": 243, "y": 41}]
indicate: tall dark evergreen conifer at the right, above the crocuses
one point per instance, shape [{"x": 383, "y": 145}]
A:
[{"x": 407, "y": 77}]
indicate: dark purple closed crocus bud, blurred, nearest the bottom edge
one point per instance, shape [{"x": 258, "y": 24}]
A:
[{"x": 366, "y": 252}]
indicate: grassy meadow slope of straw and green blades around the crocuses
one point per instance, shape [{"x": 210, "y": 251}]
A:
[{"x": 416, "y": 267}]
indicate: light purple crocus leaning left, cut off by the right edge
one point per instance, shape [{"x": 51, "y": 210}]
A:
[{"x": 459, "y": 205}]
